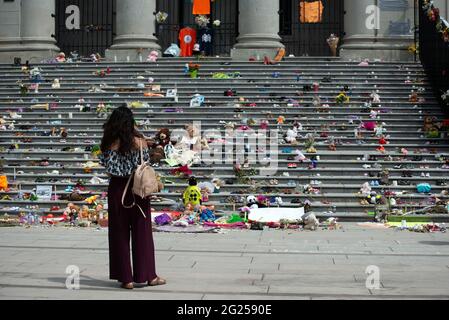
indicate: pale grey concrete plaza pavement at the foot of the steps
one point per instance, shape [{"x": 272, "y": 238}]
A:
[{"x": 232, "y": 265}]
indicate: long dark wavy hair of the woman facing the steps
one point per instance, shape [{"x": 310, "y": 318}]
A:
[{"x": 120, "y": 127}]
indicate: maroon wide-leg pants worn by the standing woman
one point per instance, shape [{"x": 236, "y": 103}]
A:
[{"x": 123, "y": 223}]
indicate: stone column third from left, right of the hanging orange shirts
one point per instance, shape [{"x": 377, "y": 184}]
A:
[{"x": 258, "y": 29}]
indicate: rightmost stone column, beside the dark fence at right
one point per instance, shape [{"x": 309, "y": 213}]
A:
[{"x": 362, "y": 40}]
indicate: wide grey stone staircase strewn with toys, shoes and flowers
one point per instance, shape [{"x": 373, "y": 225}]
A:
[{"x": 340, "y": 173}]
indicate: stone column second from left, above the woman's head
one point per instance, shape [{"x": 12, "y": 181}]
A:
[{"x": 135, "y": 27}]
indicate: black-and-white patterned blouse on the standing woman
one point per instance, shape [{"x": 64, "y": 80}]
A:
[{"x": 122, "y": 165}]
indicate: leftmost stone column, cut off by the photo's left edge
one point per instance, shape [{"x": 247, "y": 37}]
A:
[{"x": 30, "y": 37}]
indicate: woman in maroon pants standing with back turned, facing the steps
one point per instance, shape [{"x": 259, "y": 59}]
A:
[{"x": 120, "y": 147}]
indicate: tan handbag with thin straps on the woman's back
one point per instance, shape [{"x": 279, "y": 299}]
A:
[{"x": 146, "y": 182}]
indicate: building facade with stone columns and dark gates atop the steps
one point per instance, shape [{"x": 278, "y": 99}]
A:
[{"x": 128, "y": 29}]
